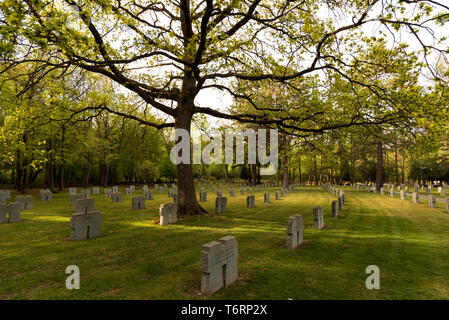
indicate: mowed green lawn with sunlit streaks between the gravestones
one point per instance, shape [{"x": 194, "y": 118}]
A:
[{"x": 138, "y": 259}]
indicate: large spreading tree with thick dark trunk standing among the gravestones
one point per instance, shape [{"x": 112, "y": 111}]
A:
[{"x": 168, "y": 51}]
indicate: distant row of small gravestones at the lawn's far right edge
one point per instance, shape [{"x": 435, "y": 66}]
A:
[{"x": 403, "y": 192}]
